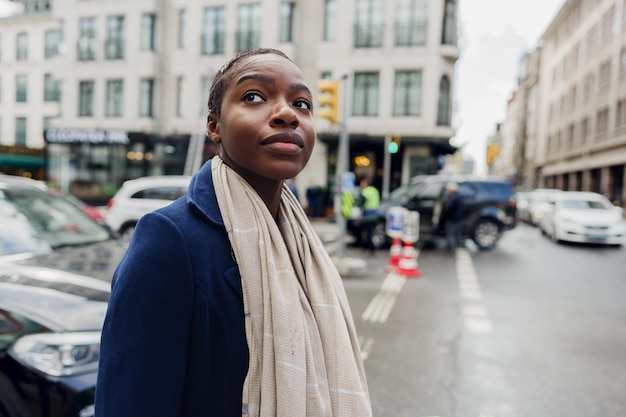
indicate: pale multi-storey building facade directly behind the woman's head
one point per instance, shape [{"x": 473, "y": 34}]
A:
[{"x": 110, "y": 90}]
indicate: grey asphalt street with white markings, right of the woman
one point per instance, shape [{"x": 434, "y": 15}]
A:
[{"x": 532, "y": 328}]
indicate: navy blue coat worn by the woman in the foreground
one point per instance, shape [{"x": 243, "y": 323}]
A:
[{"x": 174, "y": 341}]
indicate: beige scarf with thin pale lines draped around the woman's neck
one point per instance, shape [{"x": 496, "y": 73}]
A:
[{"x": 304, "y": 355}]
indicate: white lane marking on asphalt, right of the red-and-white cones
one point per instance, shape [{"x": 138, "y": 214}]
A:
[{"x": 473, "y": 310}]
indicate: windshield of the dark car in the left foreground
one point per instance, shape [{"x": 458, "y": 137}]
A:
[{"x": 33, "y": 222}]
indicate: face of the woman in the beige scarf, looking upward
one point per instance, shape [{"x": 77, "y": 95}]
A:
[{"x": 266, "y": 123}]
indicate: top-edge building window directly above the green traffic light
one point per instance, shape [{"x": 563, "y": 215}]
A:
[{"x": 411, "y": 22}]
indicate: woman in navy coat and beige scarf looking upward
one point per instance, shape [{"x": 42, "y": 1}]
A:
[{"x": 226, "y": 303}]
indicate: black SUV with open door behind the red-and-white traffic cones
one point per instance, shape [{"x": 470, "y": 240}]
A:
[{"x": 490, "y": 205}]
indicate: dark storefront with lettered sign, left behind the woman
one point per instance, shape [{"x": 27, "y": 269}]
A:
[{"x": 93, "y": 163}]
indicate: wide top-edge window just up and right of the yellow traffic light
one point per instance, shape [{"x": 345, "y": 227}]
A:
[{"x": 368, "y": 30}]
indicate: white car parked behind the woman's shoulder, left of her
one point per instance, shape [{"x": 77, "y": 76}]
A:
[{"x": 140, "y": 196}]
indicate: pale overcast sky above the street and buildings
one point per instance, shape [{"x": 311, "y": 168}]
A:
[{"x": 493, "y": 36}]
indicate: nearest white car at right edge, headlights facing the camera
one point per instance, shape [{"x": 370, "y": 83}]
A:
[{"x": 584, "y": 217}]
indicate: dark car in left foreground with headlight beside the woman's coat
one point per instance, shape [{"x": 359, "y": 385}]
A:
[{"x": 56, "y": 264}]
